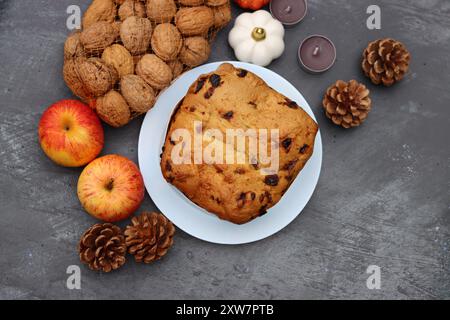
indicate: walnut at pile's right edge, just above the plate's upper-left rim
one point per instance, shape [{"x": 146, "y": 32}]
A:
[{"x": 195, "y": 51}]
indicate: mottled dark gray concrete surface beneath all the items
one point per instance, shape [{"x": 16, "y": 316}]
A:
[{"x": 382, "y": 199}]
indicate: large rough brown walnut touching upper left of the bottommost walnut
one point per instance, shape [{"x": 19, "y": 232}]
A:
[{"x": 97, "y": 77}]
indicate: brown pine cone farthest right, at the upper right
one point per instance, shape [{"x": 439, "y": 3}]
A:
[{"x": 386, "y": 61}]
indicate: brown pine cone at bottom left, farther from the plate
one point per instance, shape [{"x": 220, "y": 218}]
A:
[{"x": 102, "y": 247}]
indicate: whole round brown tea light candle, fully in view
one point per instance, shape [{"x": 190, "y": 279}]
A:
[{"x": 317, "y": 54}]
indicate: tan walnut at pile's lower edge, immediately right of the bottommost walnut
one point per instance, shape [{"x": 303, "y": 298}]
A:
[{"x": 139, "y": 95}]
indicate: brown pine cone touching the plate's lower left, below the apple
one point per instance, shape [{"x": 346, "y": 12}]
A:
[{"x": 149, "y": 237}]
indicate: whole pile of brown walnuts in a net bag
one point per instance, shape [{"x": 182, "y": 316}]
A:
[{"x": 129, "y": 50}]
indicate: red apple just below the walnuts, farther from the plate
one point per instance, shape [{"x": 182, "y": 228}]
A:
[{"x": 70, "y": 133}]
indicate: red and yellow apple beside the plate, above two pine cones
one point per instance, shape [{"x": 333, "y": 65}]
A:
[{"x": 111, "y": 188}]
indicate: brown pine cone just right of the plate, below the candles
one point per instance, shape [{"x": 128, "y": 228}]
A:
[{"x": 347, "y": 104}]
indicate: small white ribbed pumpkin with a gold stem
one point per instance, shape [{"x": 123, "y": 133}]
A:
[{"x": 257, "y": 38}]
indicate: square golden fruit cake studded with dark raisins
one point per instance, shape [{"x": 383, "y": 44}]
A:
[{"x": 232, "y": 98}]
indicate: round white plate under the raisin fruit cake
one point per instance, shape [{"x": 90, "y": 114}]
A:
[{"x": 187, "y": 215}]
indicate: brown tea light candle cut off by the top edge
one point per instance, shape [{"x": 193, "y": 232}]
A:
[{"x": 288, "y": 12}]
